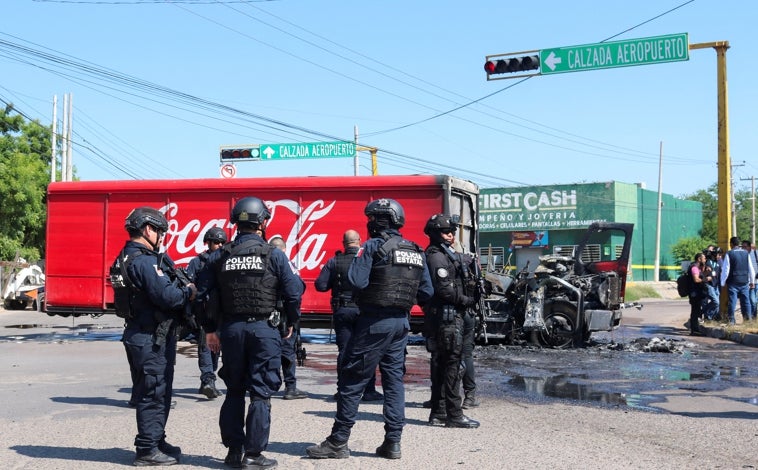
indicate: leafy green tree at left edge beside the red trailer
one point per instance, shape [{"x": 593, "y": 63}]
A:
[{"x": 24, "y": 175}]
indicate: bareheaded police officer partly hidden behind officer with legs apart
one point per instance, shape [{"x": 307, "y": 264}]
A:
[{"x": 333, "y": 276}]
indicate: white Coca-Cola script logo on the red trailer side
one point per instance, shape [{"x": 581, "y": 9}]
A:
[{"x": 296, "y": 225}]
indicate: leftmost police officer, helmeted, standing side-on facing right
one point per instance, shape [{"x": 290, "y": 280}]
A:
[{"x": 155, "y": 306}]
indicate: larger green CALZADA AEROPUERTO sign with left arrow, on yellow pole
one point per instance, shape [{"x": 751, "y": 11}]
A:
[{"x": 605, "y": 55}]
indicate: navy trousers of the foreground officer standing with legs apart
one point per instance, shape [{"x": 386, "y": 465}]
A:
[{"x": 376, "y": 340}]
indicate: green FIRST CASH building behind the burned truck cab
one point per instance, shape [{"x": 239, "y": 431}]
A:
[{"x": 519, "y": 224}]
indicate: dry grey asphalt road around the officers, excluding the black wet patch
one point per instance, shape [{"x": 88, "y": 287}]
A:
[{"x": 65, "y": 383}]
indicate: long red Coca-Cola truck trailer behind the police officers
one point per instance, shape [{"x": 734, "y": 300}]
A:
[{"x": 85, "y": 225}]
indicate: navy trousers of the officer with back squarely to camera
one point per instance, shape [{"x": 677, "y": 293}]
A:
[{"x": 252, "y": 353}]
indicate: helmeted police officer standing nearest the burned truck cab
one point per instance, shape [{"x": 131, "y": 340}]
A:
[{"x": 447, "y": 311}]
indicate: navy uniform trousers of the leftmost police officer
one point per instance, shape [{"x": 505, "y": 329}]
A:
[{"x": 152, "y": 369}]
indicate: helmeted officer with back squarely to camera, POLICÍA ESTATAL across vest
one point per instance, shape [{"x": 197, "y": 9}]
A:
[{"x": 248, "y": 275}]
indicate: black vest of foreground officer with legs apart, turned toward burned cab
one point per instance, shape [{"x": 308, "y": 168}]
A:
[{"x": 395, "y": 275}]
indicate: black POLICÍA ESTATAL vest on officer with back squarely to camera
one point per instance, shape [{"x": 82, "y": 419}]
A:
[{"x": 247, "y": 286}]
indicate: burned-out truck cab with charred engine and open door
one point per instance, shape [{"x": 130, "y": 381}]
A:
[{"x": 564, "y": 299}]
